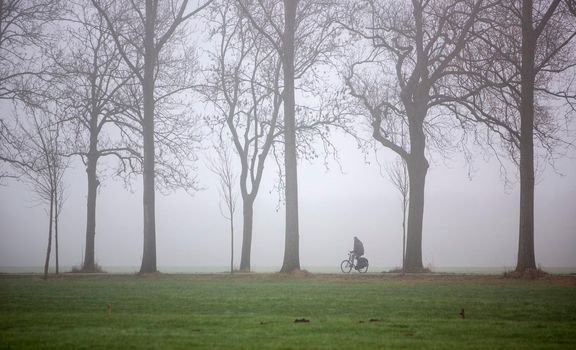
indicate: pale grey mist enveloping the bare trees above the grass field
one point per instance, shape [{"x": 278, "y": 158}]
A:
[{"x": 314, "y": 102}]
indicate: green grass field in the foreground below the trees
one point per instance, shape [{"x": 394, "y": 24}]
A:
[{"x": 257, "y": 311}]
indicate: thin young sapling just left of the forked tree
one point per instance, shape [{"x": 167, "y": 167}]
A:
[{"x": 222, "y": 167}]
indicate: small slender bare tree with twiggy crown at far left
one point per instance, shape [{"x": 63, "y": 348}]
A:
[{"x": 42, "y": 167}]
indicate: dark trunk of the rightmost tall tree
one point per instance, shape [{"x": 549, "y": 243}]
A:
[{"x": 526, "y": 256}]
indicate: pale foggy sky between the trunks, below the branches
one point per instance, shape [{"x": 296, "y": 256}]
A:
[{"x": 467, "y": 222}]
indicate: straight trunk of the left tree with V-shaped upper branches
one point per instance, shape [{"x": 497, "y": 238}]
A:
[{"x": 149, "y": 251}]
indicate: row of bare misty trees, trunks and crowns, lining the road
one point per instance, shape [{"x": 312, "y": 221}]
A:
[{"x": 147, "y": 82}]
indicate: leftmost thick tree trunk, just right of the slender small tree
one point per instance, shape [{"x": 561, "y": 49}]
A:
[{"x": 89, "y": 259}]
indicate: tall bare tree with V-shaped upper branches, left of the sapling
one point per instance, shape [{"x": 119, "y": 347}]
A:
[{"x": 141, "y": 32}]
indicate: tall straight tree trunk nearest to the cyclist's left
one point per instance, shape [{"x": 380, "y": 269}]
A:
[{"x": 291, "y": 248}]
